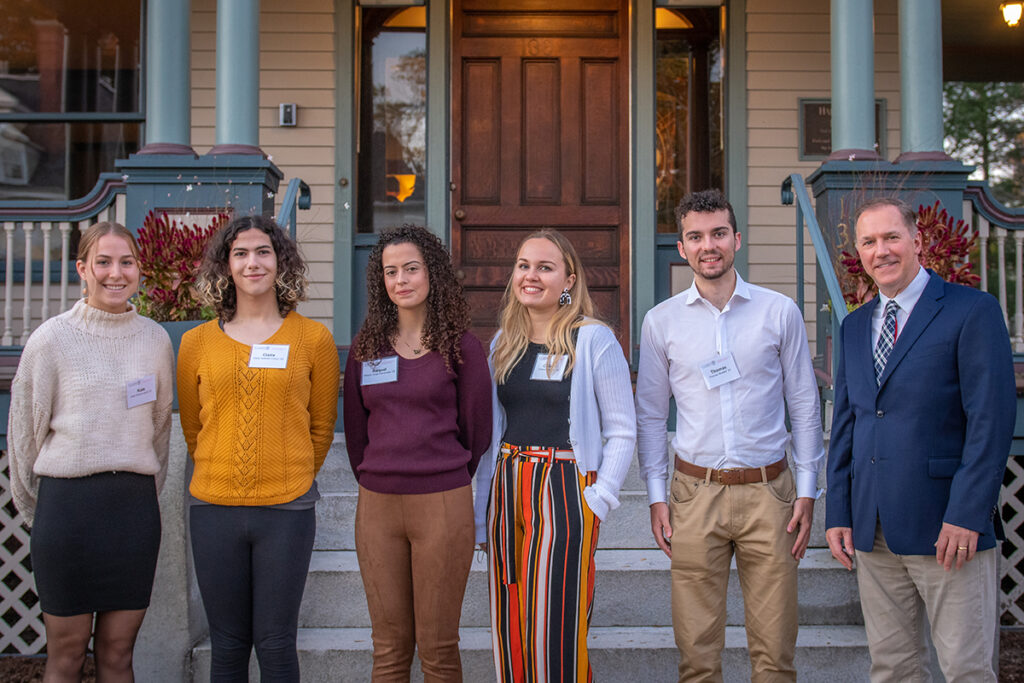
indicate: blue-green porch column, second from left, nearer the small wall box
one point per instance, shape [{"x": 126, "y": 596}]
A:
[{"x": 238, "y": 78}]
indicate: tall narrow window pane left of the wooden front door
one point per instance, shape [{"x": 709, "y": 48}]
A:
[{"x": 393, "y": 118}]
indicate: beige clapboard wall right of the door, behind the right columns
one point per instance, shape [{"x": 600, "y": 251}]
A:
[{"x": 788, "y": 58}]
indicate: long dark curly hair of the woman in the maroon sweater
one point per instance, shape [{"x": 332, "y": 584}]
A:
[{"x": 448, "y": 313}]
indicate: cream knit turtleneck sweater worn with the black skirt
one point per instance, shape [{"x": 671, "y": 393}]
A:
[{"x": 69, "y": 414}]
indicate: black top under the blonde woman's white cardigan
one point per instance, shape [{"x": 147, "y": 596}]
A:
[{"x": 537, "y": 411}]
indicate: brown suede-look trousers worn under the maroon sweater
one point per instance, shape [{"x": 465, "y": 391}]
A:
[{"x": 415, "y": 552}]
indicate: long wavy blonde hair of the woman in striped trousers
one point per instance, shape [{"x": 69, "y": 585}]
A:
[{"x": 515, "y": 319}]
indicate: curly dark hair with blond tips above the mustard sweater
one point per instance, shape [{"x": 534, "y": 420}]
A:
[{"x": 215, "y": 281}]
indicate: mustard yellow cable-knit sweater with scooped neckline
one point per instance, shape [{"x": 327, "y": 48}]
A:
[{"x": 258, "y": 436}]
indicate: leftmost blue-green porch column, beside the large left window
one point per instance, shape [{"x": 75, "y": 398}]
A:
[{"x": 168, "y": 93}]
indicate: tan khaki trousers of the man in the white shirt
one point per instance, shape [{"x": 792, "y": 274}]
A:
[{"x": 709, "y": 522}]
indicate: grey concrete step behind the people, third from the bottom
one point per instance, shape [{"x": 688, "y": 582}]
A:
[{"x": 628, "y": 527}]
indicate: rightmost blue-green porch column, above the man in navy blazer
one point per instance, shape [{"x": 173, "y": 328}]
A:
[{"x": 921, "y": 80}]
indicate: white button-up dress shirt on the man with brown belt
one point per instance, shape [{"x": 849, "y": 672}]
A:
[{"x": 741, "y": 423}]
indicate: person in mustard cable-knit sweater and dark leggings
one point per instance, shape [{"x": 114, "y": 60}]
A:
[{"x": 259, "y": 392}]
